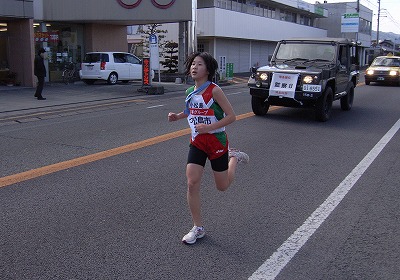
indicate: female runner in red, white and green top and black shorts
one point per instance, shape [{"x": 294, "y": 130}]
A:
[{"x": 208, "y": 112}]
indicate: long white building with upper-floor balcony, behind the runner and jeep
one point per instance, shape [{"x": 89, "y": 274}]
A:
[{"x": 245, "y": 33}]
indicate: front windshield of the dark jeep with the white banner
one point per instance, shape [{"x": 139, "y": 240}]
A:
[{"x": 302, "y": 51}]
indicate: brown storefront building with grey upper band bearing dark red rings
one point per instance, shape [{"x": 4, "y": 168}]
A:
[{"x": 68, "y": 29}]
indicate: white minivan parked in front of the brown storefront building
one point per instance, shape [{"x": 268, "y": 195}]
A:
[{"x": 111, "y": 67}]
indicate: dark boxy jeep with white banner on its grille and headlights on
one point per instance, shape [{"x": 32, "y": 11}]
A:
[{"x": 307, "y": 73}]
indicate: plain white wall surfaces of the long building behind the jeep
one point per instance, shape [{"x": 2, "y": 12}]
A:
[{"x": 245, "y": 40}]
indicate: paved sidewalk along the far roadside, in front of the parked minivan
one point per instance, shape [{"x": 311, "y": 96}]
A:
[{"x": 14, "y": 99}]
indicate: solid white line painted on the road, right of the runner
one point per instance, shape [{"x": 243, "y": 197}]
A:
[{"x": 274, "y": 265}]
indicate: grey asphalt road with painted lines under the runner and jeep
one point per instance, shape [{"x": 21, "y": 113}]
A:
[{"x": 99, "y": 193}]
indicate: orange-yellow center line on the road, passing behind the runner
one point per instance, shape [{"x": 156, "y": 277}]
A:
[{"x": 45, "y": 170}]
